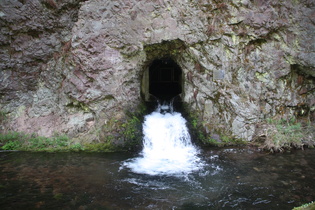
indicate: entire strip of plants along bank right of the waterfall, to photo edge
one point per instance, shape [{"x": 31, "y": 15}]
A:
[{"x": 276, "y": 135}]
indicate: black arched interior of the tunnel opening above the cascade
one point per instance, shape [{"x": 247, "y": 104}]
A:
[{"x": 165, "y": 79}]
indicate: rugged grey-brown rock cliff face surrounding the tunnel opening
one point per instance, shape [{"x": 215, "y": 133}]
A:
[{"x": 76, "y": 68}]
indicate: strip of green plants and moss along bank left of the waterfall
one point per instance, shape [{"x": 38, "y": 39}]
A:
[{"x": 116, "y": 135}]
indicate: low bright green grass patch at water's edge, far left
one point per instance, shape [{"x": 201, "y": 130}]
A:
[{"x": 26, "y": 142}]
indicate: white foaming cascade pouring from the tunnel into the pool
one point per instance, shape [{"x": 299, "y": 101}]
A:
[{"x": 167, "y": 147}]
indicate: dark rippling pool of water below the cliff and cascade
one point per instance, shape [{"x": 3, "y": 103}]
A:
[{"x": 233, "y": 179}]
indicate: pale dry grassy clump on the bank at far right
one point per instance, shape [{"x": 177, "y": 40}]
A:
[{"x": 286, "y": 134}]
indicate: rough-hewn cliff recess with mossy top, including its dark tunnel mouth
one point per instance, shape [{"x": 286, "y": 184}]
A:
[{"x": 162, "y": 76}]
